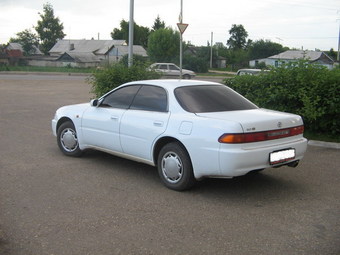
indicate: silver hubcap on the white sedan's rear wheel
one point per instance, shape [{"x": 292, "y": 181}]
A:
[{"x": 172, "y": 167}]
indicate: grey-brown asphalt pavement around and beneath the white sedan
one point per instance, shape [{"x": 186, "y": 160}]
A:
[{"x": 101, "y": 204}]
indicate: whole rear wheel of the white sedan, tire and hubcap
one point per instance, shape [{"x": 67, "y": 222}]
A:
[{"x": 175, "y": 168}]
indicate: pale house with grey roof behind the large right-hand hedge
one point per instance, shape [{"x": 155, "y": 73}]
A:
[{"x": 315, "y": 57}]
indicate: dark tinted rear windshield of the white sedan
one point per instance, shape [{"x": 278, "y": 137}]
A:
[{"x": 211, "y": 98}]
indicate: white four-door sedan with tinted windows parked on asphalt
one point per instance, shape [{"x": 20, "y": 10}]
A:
[{"x": 190, "y": 130}]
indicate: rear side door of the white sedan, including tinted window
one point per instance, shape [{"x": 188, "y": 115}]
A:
[{"x": 146, "y": 120}]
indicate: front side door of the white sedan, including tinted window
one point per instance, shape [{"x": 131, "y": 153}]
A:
[{"x": 101, "y": 124}]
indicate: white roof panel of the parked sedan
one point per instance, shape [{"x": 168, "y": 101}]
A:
[{"x": 171, "y": 84}]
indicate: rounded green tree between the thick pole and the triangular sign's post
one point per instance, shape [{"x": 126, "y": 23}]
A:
[{"x": 163, "y": 45}]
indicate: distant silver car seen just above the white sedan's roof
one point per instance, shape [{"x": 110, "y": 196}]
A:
[{"x": 170, "y": 70}]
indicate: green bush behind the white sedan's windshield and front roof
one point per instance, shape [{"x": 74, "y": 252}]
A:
[{"x": 104, "y": 80}]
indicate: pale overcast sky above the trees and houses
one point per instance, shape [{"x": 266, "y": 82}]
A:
[{"x": 307, "y": 24}]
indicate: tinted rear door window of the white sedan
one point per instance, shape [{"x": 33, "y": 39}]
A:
[{"x": 150, "y": 98}]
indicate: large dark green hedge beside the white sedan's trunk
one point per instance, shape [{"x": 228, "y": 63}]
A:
[{"x": 311, "y": 91}]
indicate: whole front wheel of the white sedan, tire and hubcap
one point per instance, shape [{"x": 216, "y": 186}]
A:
[{"x": 68, "y": 140}]
